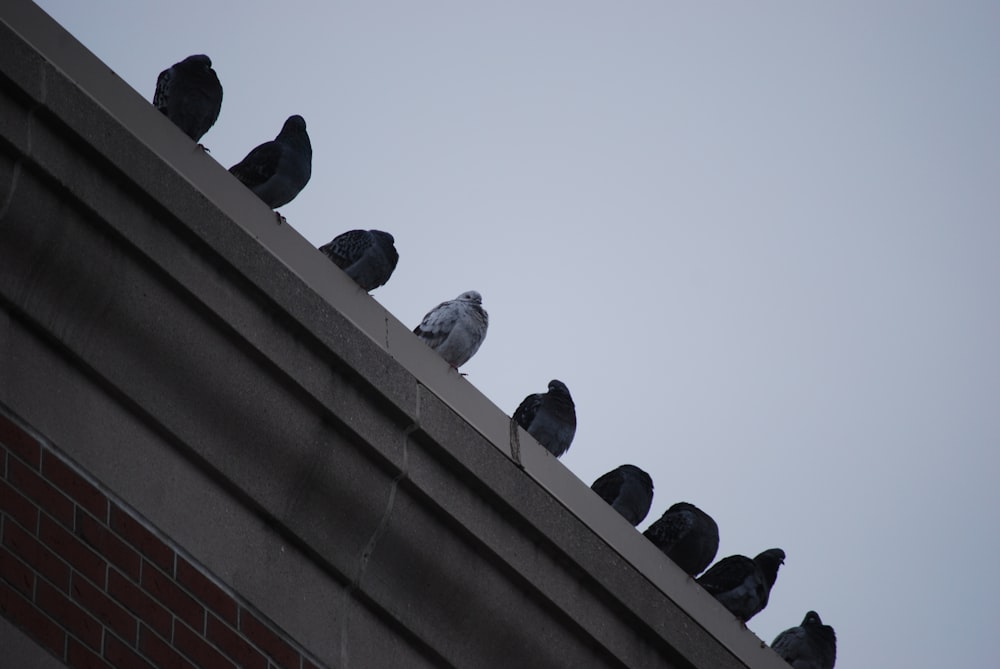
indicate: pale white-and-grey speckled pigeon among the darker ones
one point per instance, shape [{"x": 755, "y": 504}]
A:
[{"x": 456, "y": 328}]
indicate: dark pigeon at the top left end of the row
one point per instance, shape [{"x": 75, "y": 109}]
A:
[{"x": 190, "y": 95}]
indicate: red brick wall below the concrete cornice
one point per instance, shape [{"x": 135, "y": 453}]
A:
[{"x": 88, "y": 579}]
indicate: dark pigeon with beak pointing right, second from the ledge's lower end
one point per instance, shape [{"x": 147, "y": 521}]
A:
[{"x": 743, "y": 585}]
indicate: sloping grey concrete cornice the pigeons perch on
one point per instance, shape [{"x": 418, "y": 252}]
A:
[{"x": 224, "y": 378}]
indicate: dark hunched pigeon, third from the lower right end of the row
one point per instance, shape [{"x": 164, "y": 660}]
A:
[{"x": 687, "y": 535}]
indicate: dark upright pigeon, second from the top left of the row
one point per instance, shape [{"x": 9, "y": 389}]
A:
[{"x": 278, "y": 170}]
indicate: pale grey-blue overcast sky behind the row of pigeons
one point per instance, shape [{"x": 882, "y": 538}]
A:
[{"x": 760, "y": 242}]
